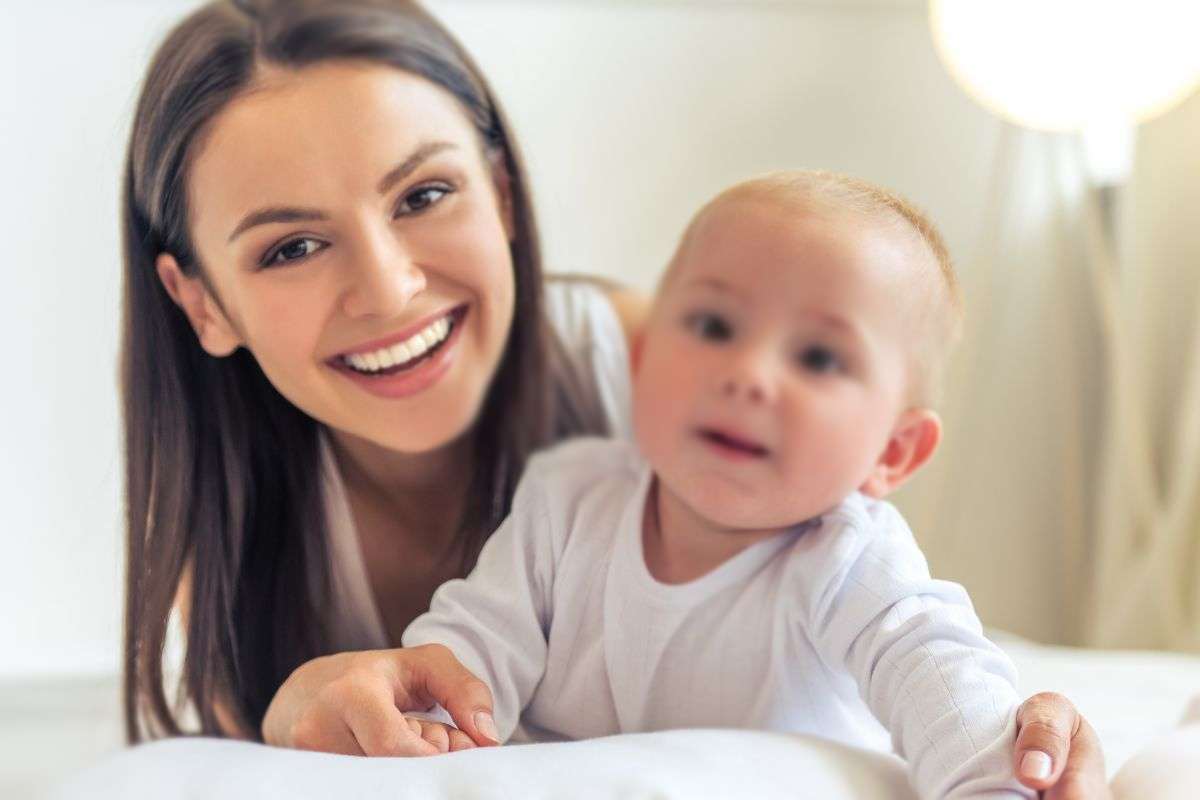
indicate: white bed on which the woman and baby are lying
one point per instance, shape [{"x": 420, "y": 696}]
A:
[{"x": 63, "y": 741}]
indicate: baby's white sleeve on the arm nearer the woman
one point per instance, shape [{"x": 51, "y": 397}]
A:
[{"x": 496, "y": 619}]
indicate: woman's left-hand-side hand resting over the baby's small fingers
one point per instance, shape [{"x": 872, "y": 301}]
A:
[{"x": 352, "y": 703}]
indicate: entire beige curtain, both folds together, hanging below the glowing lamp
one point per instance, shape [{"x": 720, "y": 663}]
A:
[{"x": 1067, "y": 494}]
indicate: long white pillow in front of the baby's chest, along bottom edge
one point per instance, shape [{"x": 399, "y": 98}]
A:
[{"x": 685, "y": 765}]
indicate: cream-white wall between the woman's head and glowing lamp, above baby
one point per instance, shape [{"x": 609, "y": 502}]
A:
[{"x": 632, "y": 115}]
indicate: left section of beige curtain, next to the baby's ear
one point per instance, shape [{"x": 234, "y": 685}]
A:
[{"x": 1005, "y": 507}]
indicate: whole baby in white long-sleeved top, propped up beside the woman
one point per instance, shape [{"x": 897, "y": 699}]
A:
[{"x": 739, "y": 567}]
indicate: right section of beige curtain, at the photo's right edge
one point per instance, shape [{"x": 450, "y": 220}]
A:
[{"x": 1145, "y": 578}]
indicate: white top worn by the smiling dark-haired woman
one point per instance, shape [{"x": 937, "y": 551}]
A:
[{"x": 595, "y": 339}]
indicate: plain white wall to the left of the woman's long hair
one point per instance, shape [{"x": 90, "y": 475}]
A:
[{"x": 69, "y": 87}]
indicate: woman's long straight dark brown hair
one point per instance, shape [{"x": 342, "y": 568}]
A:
[{"x": 223, "y": 473}]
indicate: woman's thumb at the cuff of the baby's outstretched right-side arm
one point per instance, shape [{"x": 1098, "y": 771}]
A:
[{"x": 1046, "y": 725}]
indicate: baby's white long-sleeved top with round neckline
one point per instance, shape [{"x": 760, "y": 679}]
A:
[{"x": 827, "y": 629}]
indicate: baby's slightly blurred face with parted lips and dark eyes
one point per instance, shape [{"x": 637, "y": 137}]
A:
[{"x": 776, "y": 364}]
